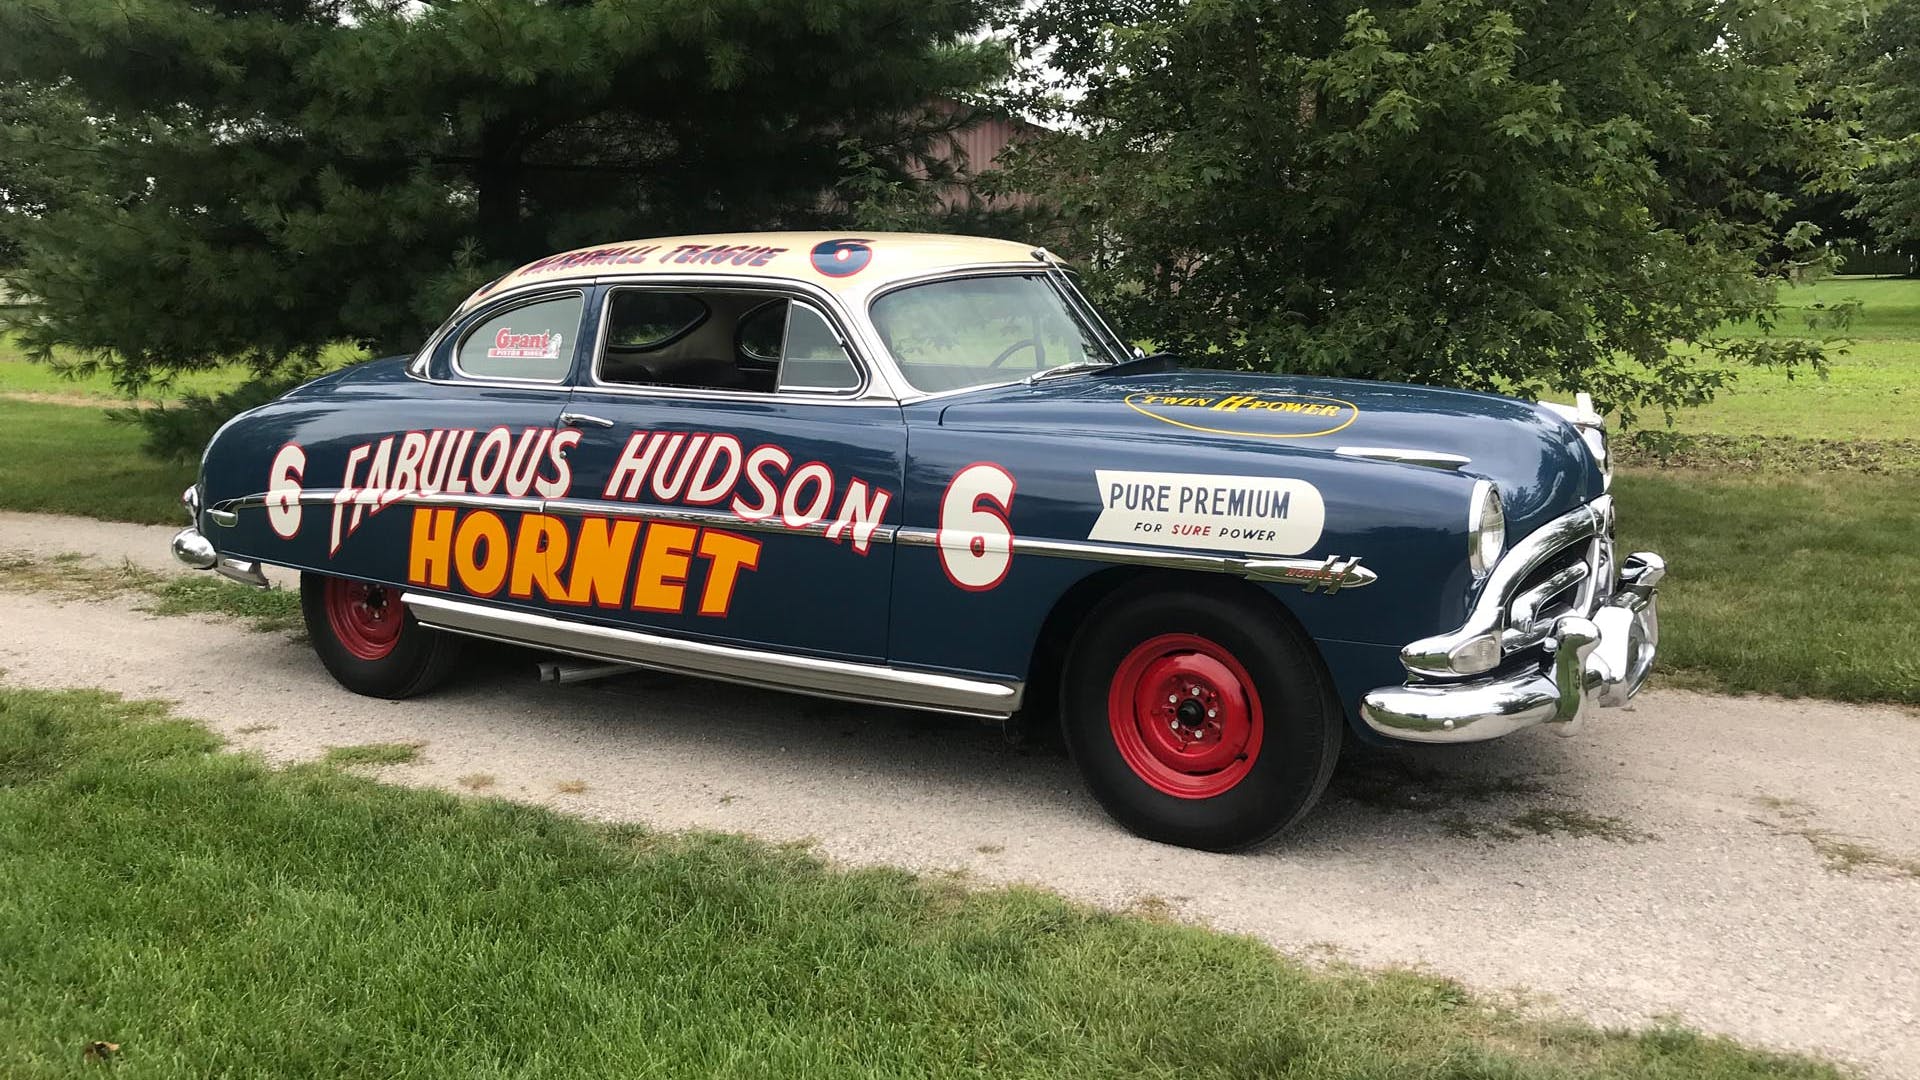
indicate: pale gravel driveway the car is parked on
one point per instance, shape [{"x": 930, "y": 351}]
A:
[{"x": 1748, "y": 866}]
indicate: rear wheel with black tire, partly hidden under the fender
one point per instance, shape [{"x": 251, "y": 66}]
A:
[{"x": 412, "y": 658}]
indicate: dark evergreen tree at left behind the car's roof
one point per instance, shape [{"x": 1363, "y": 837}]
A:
[{"x": 256, "y": 180}]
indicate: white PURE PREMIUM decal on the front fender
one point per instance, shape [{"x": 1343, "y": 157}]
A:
[{"x": 1270, "y": 516}]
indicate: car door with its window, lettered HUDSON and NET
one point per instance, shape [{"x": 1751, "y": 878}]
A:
[{"x": 734, "y": 479}]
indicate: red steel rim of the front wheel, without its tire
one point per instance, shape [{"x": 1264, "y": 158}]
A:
[{"x": 1186, "y": 716}]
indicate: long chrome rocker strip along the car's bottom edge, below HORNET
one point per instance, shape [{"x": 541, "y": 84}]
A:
[{"x": 846, "y": 681}]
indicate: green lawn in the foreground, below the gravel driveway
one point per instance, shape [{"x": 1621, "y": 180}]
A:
[{"x": 222, "y": 920}]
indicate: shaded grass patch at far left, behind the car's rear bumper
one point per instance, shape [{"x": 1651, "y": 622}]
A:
[{"x": 72, "y": 460}]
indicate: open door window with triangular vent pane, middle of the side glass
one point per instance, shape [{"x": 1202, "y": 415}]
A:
[{"x": 721, "y": 341}]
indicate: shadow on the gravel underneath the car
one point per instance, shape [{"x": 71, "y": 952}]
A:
[{"x": 1499, "y": 793}]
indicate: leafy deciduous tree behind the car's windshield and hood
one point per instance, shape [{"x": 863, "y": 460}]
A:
[{"x": 1520, "y": 195}]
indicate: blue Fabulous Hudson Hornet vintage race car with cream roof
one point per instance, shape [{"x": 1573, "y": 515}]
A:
[{"x": 924, "y": 472}]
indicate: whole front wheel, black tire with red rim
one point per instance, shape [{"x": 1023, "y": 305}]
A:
[{"x": 1257, "y": 795}]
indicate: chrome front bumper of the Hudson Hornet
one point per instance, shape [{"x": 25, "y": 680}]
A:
[{"x": 1593, "y": 662}]
